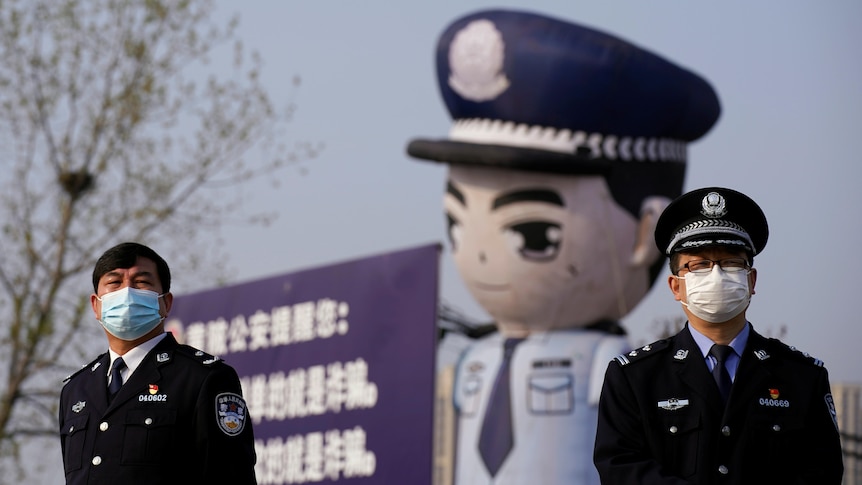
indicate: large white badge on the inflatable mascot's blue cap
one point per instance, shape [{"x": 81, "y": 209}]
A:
[{"x": 476, "y": 59}]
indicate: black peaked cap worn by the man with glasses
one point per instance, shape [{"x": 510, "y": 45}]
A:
[{"x": 712, "y": 216}]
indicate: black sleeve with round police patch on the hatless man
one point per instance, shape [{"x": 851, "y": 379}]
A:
[{"x": 223, "y": 430}]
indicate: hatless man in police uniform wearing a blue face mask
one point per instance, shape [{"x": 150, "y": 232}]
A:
[{"x": 150, "y": 410}]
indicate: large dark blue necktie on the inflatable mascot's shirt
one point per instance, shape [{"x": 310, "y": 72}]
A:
[{"x": 496, "y": 438}]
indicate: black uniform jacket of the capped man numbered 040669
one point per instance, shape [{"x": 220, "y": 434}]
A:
[{"x": 661, "y": 418}]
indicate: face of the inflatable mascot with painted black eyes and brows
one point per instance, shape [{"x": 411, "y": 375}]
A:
[{"x": 542, "y": 251}]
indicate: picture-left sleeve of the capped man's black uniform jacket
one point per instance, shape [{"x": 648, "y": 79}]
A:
[{"x": 622, "y": 453}]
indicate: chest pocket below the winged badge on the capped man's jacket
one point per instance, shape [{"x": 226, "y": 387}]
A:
[{"x": 681, "y": 435}]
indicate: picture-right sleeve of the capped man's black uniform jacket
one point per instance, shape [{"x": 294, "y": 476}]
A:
[{"x": 826, "y": 465}]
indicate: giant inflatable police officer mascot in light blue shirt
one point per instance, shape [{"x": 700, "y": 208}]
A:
[{"x": 567, "y": 144}]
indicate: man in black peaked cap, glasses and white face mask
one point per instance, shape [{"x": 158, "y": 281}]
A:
[{"x": 717, "y": 402}]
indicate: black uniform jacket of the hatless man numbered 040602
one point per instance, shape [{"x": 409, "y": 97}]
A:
[{"x": 180, "y": 418}]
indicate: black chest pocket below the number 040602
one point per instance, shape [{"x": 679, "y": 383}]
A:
[{"x": 149, "y": 436}]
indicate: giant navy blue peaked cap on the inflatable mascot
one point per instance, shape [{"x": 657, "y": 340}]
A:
[{"x": 530, "y": 92}]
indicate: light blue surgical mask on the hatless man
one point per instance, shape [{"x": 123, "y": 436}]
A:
[{"x": 130, "y": 313}]
